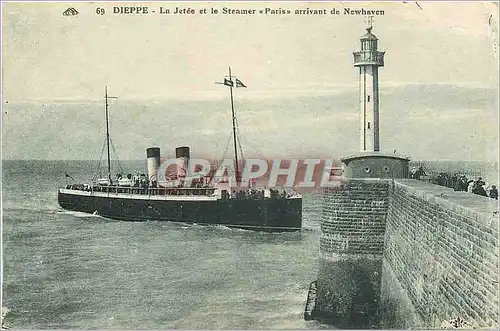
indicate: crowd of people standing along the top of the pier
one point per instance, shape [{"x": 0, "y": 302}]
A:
[{"x": 459, "y": 182}]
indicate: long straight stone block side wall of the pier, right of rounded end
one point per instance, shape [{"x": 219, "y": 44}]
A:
[{"x": 441, "y": 257}]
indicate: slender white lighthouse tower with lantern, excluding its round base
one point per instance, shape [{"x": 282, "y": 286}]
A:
[{"x": 368, "y": 60}]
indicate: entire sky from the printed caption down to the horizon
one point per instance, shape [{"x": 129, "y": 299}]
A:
[{"x": 438, "y": 88}]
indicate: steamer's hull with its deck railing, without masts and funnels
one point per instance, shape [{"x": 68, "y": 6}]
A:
[{"x": 193, "y": 205}]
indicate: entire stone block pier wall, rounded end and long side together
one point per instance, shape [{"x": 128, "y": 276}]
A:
[{"x": 406, "y": 253}]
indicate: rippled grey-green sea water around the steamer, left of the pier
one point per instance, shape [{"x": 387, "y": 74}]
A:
[{"x": 74, "y": 270}]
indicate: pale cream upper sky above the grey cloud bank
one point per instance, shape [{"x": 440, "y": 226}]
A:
[{"x": 48, "y": 56}]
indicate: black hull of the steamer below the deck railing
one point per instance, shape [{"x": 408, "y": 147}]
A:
[{"x": 271, "y": 215}]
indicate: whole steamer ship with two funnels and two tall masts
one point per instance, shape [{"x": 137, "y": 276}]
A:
[{"x": 206, "y": 201}]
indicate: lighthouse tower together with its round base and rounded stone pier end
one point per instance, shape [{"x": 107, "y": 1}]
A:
[{"x": 353, "y": 219}]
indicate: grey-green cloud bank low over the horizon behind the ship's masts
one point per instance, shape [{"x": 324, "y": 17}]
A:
[{"x": 438, "y": 116}]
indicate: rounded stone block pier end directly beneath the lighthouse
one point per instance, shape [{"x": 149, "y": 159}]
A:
[{"x": 351, "y": 247}]
